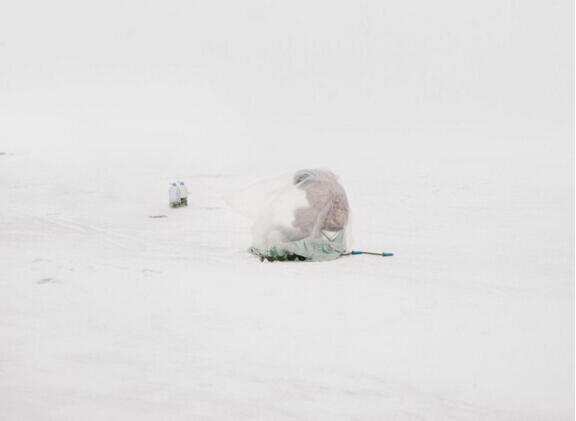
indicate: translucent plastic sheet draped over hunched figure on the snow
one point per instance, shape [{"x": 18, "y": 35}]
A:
[{"x": 302, "y": 217}]
